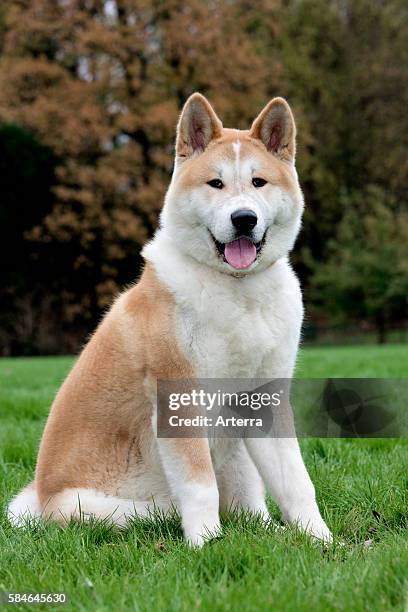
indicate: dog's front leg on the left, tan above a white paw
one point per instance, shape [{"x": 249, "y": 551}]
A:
[{"x": 189, "y": 470}]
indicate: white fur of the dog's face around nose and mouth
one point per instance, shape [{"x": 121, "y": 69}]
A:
[{"x": 189, "y": 217}]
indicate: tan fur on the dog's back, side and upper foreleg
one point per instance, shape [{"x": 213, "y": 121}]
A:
[{"x": 100, "y": 421}]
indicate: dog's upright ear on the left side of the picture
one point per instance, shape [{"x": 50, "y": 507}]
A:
[{"x": 197, "y": 126}]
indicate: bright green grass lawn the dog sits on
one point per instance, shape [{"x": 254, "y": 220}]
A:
[{"x": 362, "y": 487}]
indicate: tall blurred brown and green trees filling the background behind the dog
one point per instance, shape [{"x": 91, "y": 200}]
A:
[{"x": 100, "y": 83}]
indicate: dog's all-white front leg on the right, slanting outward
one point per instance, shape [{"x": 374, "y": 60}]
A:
[{"x": 281, "y": 466}]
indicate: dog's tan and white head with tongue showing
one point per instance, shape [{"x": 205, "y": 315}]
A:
[{"x": 234, "y": 201}]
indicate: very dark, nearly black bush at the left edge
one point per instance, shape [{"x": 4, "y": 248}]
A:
[{"x": 27, "y": 170}]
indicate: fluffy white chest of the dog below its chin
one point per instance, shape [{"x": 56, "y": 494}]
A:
[{"x": 236, "y": 330}]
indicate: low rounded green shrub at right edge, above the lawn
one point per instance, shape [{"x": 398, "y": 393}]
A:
[{"x": 366, "y": 274}]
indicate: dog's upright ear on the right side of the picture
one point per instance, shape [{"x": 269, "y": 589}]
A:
[{"x": 275, "y": 127}]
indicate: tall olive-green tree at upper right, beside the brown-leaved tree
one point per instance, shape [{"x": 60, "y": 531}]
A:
[{"x": 346, "y": 73}]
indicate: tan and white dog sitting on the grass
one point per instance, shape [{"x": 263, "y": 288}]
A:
[{"x": 217, "y": 298}]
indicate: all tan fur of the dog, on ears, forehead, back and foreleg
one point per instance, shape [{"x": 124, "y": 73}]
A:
[{"x": 99, "y": 426}]
